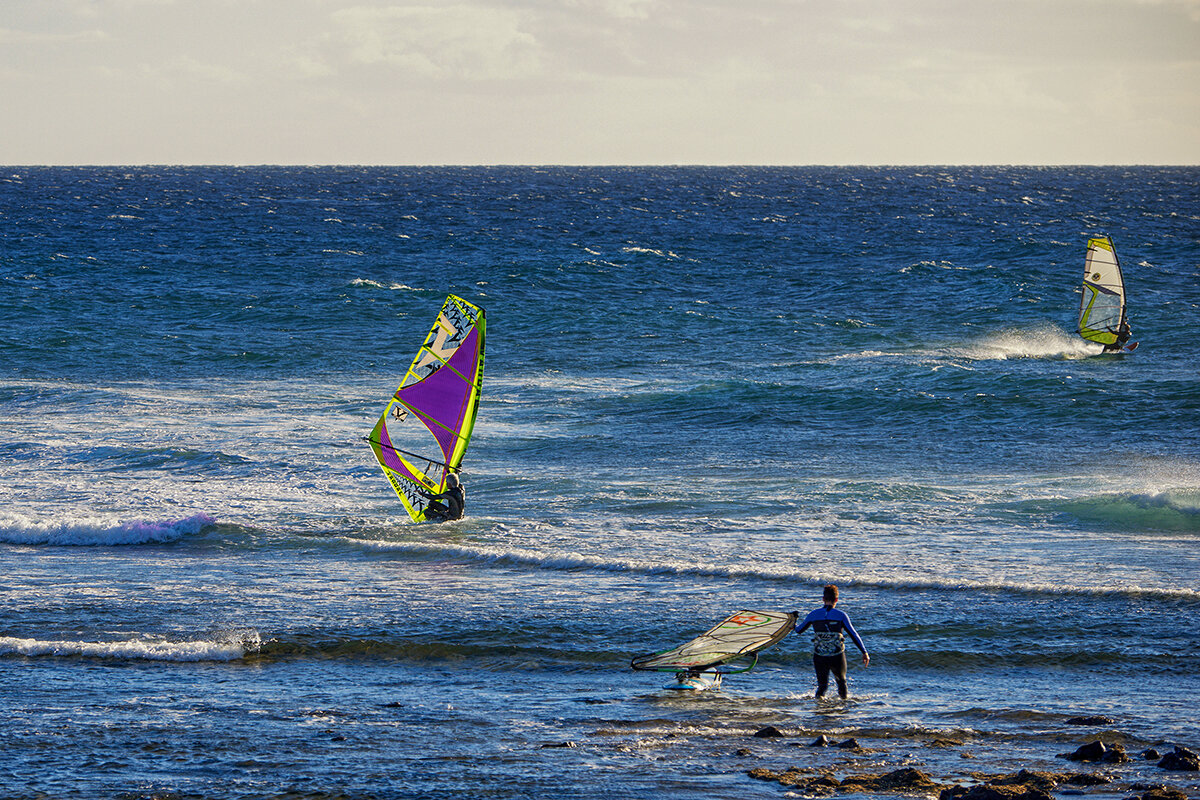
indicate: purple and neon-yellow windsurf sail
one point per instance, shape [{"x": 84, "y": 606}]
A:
[{"x": 440, "y": 399}]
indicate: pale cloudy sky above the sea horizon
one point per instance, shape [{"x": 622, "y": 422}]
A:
[{"x": 601, "y": 82}]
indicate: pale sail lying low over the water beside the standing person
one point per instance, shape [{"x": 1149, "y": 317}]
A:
[{"x": 735, "y": 637}]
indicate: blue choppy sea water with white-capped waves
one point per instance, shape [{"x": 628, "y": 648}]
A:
[{"x": 706, "y": 389}]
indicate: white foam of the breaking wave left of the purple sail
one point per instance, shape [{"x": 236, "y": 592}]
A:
[{"x": 97, "y": 532}]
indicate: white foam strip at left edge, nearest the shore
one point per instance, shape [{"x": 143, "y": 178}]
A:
[{"x": 229, "y": 647}]
